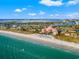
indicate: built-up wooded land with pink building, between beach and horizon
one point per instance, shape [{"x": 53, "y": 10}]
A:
[{"x": 66, "y": 27}]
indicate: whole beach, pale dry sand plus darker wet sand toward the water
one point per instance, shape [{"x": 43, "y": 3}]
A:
[{"x": 48, "y": 40}]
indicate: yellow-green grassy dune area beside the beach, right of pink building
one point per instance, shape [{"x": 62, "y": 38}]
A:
[{"x": 67, "y": 38}]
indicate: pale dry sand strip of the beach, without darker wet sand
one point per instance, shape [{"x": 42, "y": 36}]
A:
[{"x": 44, "y": 38}]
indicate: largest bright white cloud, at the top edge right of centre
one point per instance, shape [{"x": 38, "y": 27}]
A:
[{"x": 51, "y": 3}]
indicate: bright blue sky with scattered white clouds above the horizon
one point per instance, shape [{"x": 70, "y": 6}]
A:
[{"x": 39, "y": 9}]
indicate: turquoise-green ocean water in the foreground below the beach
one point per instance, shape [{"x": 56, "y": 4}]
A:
[{"x": 11, "y": 48}]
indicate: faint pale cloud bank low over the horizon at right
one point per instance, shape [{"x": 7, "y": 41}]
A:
[{"x": 74, "y": 15}]
